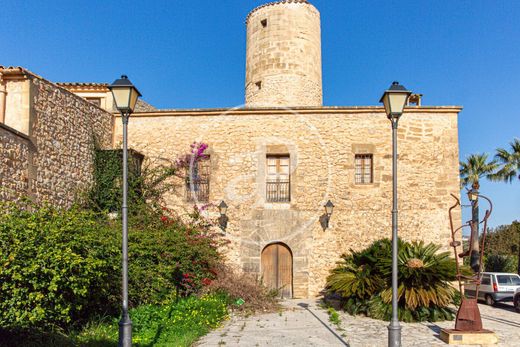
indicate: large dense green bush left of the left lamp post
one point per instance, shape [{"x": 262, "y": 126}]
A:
[{"x": 56, "y": 267}]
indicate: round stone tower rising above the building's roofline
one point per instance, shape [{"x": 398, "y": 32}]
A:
[{"x": 283, "y": 59}]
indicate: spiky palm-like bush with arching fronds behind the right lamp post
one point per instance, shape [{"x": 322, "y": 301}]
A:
[{"x": 363, "y": 279}]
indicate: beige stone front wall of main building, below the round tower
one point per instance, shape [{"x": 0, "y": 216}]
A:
[{"x": 322, "y": 143}]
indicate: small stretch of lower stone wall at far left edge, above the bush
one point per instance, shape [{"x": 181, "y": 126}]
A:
[{"x": 14, "y": 161}]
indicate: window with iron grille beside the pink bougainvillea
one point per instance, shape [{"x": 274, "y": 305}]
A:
[{"x": 197, "y": 181}]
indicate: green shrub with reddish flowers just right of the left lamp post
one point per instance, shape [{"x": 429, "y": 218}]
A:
[{"x": 169, "y": 257}]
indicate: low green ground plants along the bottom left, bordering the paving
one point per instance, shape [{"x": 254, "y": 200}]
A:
[{"x": 171, "y": 324}]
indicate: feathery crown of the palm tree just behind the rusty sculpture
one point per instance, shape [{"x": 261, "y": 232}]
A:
[{"x": 475, "y": 167}]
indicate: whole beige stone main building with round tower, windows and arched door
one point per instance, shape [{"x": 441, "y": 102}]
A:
[{"x": 279, "y": 159}]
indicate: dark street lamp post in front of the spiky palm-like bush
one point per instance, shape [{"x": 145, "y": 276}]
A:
[{"x": 394, "y": 99}]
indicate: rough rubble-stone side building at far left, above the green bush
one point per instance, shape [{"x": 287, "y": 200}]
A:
[{"x": 47, "y": 150}]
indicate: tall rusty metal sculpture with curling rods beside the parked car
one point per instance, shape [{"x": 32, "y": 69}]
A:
[{"x": 468, "y": 316}]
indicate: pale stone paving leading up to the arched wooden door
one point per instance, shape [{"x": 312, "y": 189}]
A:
[{"x": 304, "y": 323}]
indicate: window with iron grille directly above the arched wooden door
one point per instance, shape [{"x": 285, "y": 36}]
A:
[{"x": 278, "y": 184}]
